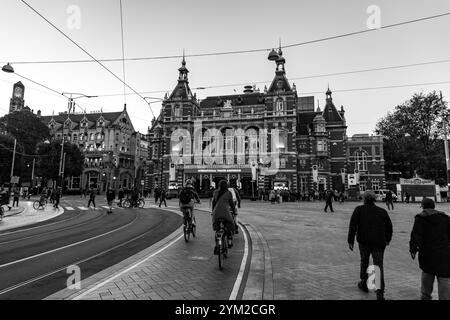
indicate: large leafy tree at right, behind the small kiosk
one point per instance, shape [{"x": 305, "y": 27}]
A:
[{"x": 413, "y": 137}]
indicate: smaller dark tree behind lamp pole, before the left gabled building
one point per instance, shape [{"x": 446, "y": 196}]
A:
[{"x": 49, "y": 159}]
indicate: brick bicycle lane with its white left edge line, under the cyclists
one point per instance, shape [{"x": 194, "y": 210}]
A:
[{"x": 173, "y": 270}]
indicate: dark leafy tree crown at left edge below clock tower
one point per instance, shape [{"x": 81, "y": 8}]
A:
[{"x": 27, "y": 128}]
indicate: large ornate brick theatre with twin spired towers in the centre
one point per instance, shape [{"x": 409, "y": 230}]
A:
[{"x": 256, "y": 140}]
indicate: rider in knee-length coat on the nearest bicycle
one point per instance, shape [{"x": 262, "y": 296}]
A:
[{"x": 222, "y": 208}]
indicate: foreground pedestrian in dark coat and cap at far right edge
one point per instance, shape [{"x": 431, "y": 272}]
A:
[{"x": 430, "y": 237}]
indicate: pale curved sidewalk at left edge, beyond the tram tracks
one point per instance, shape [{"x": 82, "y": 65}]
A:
[{"x": 26, "y": 215}]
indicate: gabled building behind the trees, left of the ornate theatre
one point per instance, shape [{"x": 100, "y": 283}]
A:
[{"x": 114, "y": 151}]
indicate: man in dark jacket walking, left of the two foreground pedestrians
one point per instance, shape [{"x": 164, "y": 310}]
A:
[{"x": 373, "y": 230}]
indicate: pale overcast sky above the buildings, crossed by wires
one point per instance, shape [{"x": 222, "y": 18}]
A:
[{"x": 164, "y": 27}]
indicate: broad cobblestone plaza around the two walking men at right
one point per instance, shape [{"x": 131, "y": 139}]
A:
[{"x": 310, "y": 256}]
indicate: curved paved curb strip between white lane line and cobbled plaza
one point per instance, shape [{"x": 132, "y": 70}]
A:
[{"x": 259, "y": 284}]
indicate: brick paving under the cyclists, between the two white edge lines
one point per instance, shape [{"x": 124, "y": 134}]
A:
[{"x": 182, "y": 271}]
